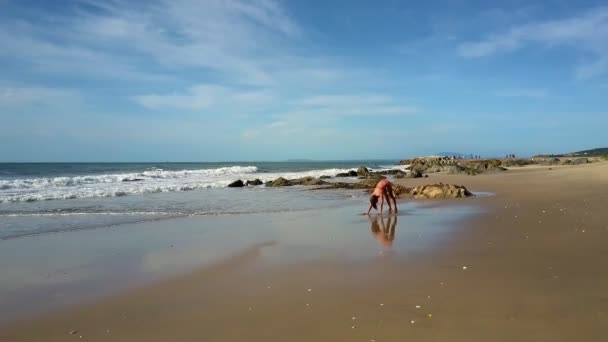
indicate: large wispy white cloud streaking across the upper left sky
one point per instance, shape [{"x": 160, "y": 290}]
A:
[{"x": 129, "y": 41}]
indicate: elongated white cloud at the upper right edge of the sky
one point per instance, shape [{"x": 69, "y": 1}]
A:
[{"x": 587, "y": 32}]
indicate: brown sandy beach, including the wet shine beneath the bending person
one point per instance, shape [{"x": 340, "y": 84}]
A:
[{"x": 530, "y": 267}]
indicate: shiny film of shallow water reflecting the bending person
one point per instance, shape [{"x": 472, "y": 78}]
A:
[{"x": 45, "y": 272}]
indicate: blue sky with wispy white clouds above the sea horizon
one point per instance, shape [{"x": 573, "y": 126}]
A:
[{"x": 221, "y": 80}]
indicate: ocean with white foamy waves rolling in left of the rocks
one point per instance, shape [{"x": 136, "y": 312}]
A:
[{"x": 42, "y": 198}]
